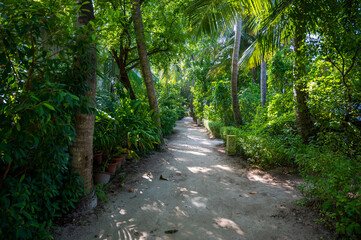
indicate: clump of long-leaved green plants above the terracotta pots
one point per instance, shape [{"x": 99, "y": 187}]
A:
[{"x": 127, "y": 124}]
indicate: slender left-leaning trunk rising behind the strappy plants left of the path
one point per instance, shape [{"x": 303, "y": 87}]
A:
[{"x": 144, "y": 62}]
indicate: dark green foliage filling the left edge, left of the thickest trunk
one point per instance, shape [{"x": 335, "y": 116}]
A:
[{"x": 39, "y": 92}]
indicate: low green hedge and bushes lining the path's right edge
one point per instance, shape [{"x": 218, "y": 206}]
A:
[{"x": 332, "y": 179}]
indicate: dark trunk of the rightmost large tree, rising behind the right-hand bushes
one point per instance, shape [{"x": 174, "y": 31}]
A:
[{"x": 303, "y": 117}]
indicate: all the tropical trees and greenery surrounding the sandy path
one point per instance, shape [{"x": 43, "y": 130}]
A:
[{"x": 113, "y": 76}]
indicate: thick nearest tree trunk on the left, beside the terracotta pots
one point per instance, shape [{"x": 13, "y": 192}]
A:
[{"x": 82, "y": 148}]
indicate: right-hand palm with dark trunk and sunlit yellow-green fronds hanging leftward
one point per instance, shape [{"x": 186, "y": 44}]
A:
[{"x": 279, "y": 22}]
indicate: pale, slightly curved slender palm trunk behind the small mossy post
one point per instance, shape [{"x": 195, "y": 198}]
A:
[{"x": 234, "y": 75}]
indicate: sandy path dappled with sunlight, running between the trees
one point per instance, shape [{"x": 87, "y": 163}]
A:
[{"x": 208, "y": 195}]
